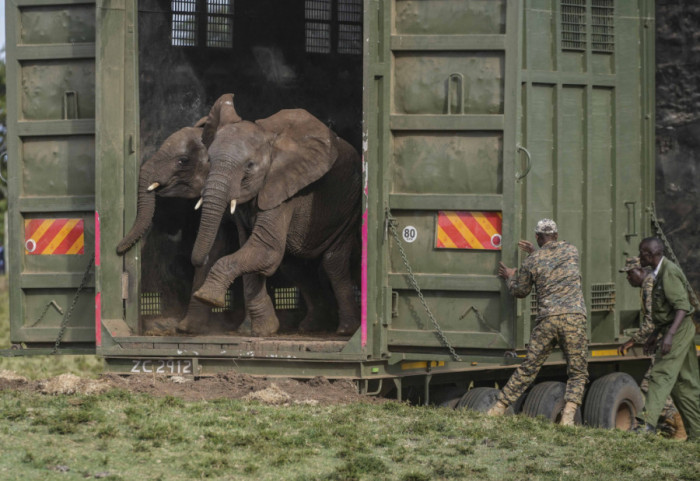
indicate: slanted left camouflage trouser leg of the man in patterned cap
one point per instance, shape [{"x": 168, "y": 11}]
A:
[{"x": 541, "y": 343}]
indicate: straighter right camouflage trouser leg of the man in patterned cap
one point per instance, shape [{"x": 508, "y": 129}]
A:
[{"x": 574, "y": 344}]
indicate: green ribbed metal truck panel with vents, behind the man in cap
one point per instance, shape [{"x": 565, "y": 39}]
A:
[{"x": 588, "y": 123}]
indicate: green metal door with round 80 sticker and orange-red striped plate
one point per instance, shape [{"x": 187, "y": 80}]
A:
[{"x": 450, "y": 171}]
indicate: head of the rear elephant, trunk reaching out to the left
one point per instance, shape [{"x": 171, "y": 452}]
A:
[{"x": 178, "y": 169}]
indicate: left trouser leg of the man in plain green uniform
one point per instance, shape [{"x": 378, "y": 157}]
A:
[{"x": 666, "y": 370}]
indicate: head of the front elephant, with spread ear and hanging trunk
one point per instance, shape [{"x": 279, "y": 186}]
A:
[{"x": 269, "y": 161}]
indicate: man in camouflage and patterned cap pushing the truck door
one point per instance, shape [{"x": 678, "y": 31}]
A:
[{"x": 561, "y": 318}]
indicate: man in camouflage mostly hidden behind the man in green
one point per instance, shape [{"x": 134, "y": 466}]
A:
[{"x": 638, "y": 276}]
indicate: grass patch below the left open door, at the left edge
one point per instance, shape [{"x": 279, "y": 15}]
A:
[{"x": 40, "y": 367}]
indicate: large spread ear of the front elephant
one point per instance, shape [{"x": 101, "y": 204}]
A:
[{"x": 303, "y": 150}]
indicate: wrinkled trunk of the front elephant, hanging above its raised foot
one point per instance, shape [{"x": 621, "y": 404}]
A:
[{"x": 215, "y": 199}]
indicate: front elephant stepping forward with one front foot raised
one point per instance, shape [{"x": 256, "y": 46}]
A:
[{"x": 298, "y": 188}]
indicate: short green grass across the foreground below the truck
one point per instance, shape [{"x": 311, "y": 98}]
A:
[{"x": 124, "y": 436}]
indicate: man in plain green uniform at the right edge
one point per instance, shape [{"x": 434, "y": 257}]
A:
[{"x": 675, "y": 369}]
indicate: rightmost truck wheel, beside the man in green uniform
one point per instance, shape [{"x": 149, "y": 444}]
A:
[{"x": 613, "y": 401}]
